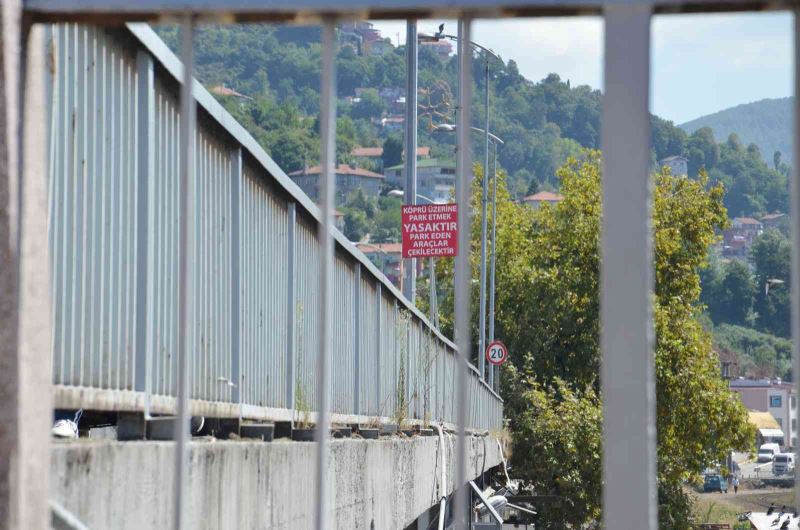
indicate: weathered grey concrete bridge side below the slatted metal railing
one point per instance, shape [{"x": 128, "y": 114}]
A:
[{"x": 375, "y": 484}]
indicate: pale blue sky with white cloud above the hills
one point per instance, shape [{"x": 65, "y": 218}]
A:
[{"x": 700, "y": 63}]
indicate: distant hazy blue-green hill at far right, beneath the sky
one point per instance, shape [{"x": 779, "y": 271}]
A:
[{"x": 766, "y": 123}]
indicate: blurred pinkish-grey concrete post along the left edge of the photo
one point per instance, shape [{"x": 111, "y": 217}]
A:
[{"x": 24, "y": 277}]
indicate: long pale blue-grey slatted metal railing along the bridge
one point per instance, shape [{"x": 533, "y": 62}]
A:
[{"x": 113, "y": 233}]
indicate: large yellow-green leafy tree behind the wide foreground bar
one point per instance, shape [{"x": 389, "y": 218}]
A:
[{"x": 548, "y": 315}]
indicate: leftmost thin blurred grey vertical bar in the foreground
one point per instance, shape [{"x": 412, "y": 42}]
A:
[{"x": 185, "y": 247}]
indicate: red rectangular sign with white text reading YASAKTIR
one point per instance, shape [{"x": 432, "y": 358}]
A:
[{"x": 430, "y": 230}]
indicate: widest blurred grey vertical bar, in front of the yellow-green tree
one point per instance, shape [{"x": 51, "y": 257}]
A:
[{"x": 628, "y": 383}]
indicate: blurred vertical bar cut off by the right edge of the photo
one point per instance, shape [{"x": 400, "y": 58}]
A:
[{"x": 795, "y": 219}]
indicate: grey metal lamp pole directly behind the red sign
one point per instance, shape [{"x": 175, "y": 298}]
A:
[{"x": 409, "y": 284}]
